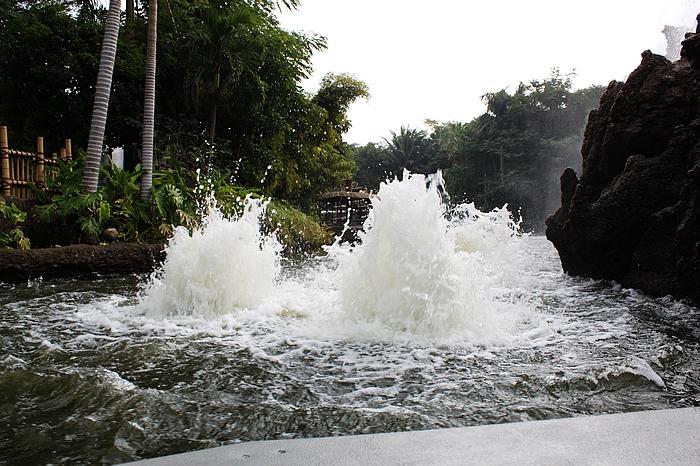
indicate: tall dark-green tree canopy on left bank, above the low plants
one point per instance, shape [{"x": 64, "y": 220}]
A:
[{"x": 228, "y": 89}]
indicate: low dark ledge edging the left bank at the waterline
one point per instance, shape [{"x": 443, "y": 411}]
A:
[{"x": 79, "y": 261}]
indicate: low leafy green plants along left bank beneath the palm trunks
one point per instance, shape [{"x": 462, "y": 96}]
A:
[{"x": 68, "y": 215}]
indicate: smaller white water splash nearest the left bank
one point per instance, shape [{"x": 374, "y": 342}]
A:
[{"x": 224, "y": 266}]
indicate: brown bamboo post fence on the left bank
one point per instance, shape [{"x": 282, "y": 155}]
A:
[{"x": 21, "y": 169}]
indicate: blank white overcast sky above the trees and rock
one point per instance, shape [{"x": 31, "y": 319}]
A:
[{"x": 434, "y": 59}]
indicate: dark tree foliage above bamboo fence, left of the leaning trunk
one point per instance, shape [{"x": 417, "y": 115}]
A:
[{"x": 48, "y": 65}]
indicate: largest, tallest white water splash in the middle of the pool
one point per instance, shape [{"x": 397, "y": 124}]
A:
[{"x": 418, "y": 272}]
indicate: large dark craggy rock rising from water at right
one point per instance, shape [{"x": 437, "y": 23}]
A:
[{"x": 634, "y": 214}]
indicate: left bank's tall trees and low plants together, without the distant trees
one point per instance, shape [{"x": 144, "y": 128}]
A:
[{"x": 230, "y": 110}]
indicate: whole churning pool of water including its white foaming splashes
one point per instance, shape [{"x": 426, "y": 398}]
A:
[{"x": 437, "y": 319}]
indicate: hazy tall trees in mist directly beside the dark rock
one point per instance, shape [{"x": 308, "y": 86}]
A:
[{"x": 515, "y": 151}]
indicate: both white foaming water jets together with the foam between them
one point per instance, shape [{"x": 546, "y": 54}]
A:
[{"x": 416, "y": 272}]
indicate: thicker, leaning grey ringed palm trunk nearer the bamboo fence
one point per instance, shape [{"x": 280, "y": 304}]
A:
[{"x": 102, "y": 90}]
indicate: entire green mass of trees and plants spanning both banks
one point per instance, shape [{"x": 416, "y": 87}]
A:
[{"x": 230, "y": 109}]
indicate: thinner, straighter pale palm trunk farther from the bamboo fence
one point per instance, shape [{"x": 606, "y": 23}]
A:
[{"x": 149, "y": 103}]
